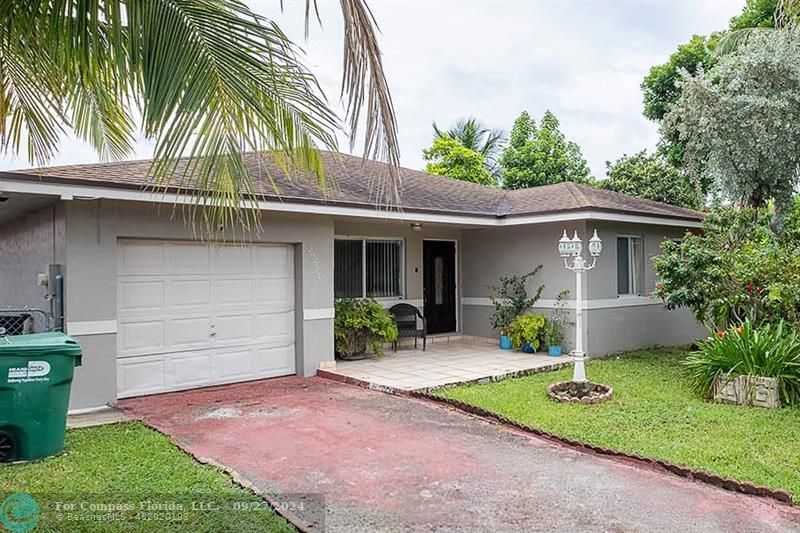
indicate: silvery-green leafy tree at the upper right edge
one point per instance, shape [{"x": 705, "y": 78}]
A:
[{"x": 739, "y": 121}]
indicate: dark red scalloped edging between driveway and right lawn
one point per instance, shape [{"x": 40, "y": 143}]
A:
[{"x": 730, "y": 484}]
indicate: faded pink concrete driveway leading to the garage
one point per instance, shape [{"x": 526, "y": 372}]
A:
[{"x": 386, "y": 463}]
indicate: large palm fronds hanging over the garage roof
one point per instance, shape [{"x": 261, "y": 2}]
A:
[{"x": 206, "y": 79}]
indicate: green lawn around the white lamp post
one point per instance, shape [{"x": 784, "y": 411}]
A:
[{"x": 654, "y": 413}]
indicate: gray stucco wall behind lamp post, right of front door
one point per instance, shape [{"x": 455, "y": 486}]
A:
[{"x": 613, "y": 323}]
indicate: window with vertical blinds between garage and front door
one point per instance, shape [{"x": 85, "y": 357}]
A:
[{"x": 371, "y": 268}]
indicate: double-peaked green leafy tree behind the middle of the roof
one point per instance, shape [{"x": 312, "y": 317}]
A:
[{"x": 541, "y": 156}]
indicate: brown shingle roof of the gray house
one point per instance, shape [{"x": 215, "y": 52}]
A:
[{"x": 356, "y": 182}]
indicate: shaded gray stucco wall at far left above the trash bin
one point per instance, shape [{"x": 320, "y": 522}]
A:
[{"x": 28, "y": 245}]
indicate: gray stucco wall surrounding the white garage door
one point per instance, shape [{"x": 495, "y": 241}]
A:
[{"x": 93, "y": 229}]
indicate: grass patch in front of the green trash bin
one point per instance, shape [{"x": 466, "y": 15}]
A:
[{"x": 130, "y": 463}]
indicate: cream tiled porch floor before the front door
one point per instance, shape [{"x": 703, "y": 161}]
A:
[{"x": 443, "y": 364}]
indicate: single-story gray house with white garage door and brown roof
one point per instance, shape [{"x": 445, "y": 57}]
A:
[{"x": 156, "y": 309}]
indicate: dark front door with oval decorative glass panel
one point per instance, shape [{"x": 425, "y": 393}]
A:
[{"x": 439, "y": 285}]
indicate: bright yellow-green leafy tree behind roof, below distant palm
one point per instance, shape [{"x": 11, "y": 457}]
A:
[{"x": 447, "y": 157}]
